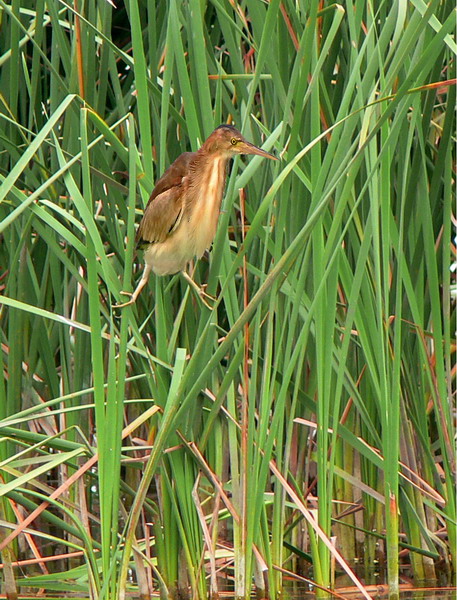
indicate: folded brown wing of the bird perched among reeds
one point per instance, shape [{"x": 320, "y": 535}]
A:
[{"x": 164, "y": 210}]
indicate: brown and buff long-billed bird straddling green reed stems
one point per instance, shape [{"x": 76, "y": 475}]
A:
[{"x": 180, "y": 220}]
